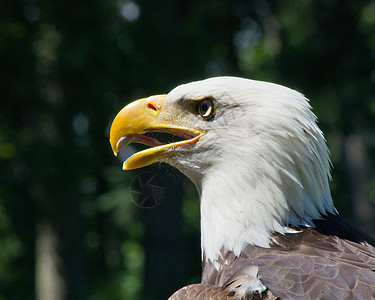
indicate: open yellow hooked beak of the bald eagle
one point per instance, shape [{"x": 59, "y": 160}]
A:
[{"x": 143, "y": 116}]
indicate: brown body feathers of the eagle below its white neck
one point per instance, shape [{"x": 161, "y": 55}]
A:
[{"x": 334, "y": 260}]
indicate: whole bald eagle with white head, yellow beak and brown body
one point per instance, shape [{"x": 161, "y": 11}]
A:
[{"x": 269, "y": 229}]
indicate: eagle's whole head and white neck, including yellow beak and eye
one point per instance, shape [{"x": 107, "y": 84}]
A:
[{"x": 253, "y": 149}]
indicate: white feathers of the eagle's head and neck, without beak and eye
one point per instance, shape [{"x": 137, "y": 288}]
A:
[{"x": 262, "y": 164}]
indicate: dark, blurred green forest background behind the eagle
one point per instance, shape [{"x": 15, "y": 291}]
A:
[{"x": 70, "y": 224}]
